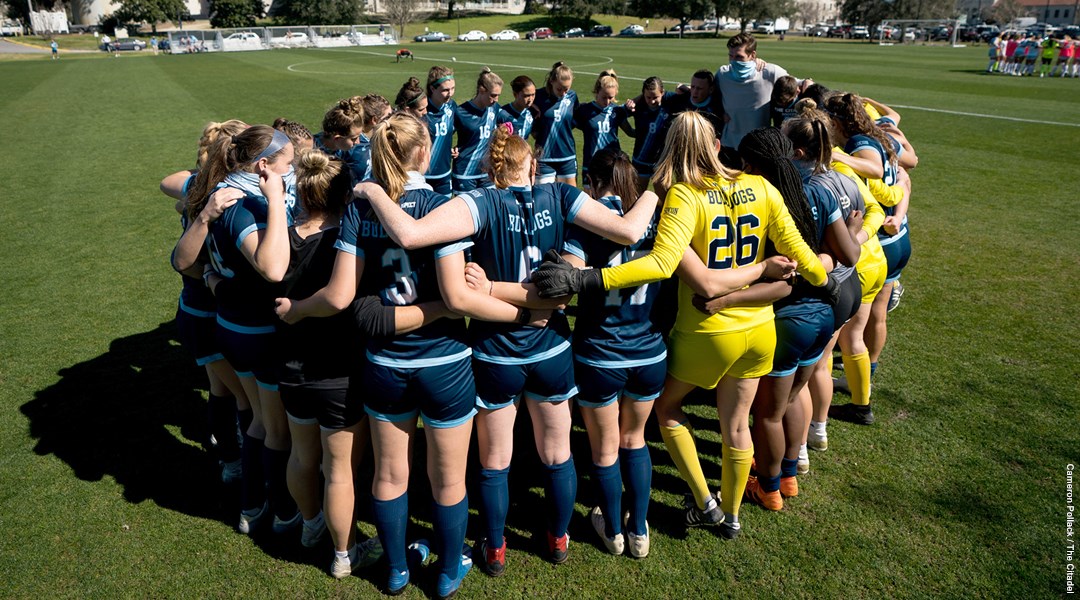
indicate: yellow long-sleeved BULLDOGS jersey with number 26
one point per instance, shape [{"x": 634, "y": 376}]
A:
[{"x": 726, "y": 225}]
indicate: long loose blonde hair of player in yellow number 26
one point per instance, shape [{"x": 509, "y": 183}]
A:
[{"x": 690, "y": 156}]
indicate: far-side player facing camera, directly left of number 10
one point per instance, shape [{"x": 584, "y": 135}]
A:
[{"x": 557, "y": 105}]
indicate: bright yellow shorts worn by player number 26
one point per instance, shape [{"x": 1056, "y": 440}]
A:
[{"x": 703, "y": 360}]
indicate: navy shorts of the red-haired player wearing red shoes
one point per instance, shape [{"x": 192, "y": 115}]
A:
[{"x": 550, "y": 380}]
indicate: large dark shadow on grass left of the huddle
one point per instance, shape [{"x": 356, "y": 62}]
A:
[{"x": 138, "y": 415}]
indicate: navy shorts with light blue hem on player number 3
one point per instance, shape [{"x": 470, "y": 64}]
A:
[{"x": 443, "y": 396}]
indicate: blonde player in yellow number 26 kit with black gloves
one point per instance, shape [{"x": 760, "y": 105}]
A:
[{"x": 724, "y": 217}]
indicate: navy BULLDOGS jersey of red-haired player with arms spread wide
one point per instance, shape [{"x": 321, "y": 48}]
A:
[{"x": 514, "y": 229}]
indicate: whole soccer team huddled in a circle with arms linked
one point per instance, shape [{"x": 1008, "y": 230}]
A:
[{"x": 327, "y": 277}]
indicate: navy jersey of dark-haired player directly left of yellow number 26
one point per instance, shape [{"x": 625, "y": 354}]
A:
[{"x": 614, "y": 329}]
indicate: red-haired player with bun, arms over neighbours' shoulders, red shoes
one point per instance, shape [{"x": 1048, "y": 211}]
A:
[{"x": 511, "y": 226}]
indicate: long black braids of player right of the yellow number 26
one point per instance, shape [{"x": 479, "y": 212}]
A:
[{"x": 771, "y": 154}]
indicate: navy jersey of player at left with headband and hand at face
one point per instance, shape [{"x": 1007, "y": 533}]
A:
[{"x": 251, "y": 312}]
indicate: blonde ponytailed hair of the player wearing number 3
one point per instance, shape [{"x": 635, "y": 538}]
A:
[{"x": 396, "y": 151}]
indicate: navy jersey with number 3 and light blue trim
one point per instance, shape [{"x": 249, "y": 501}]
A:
[{"x": 404, "y": 278}]
